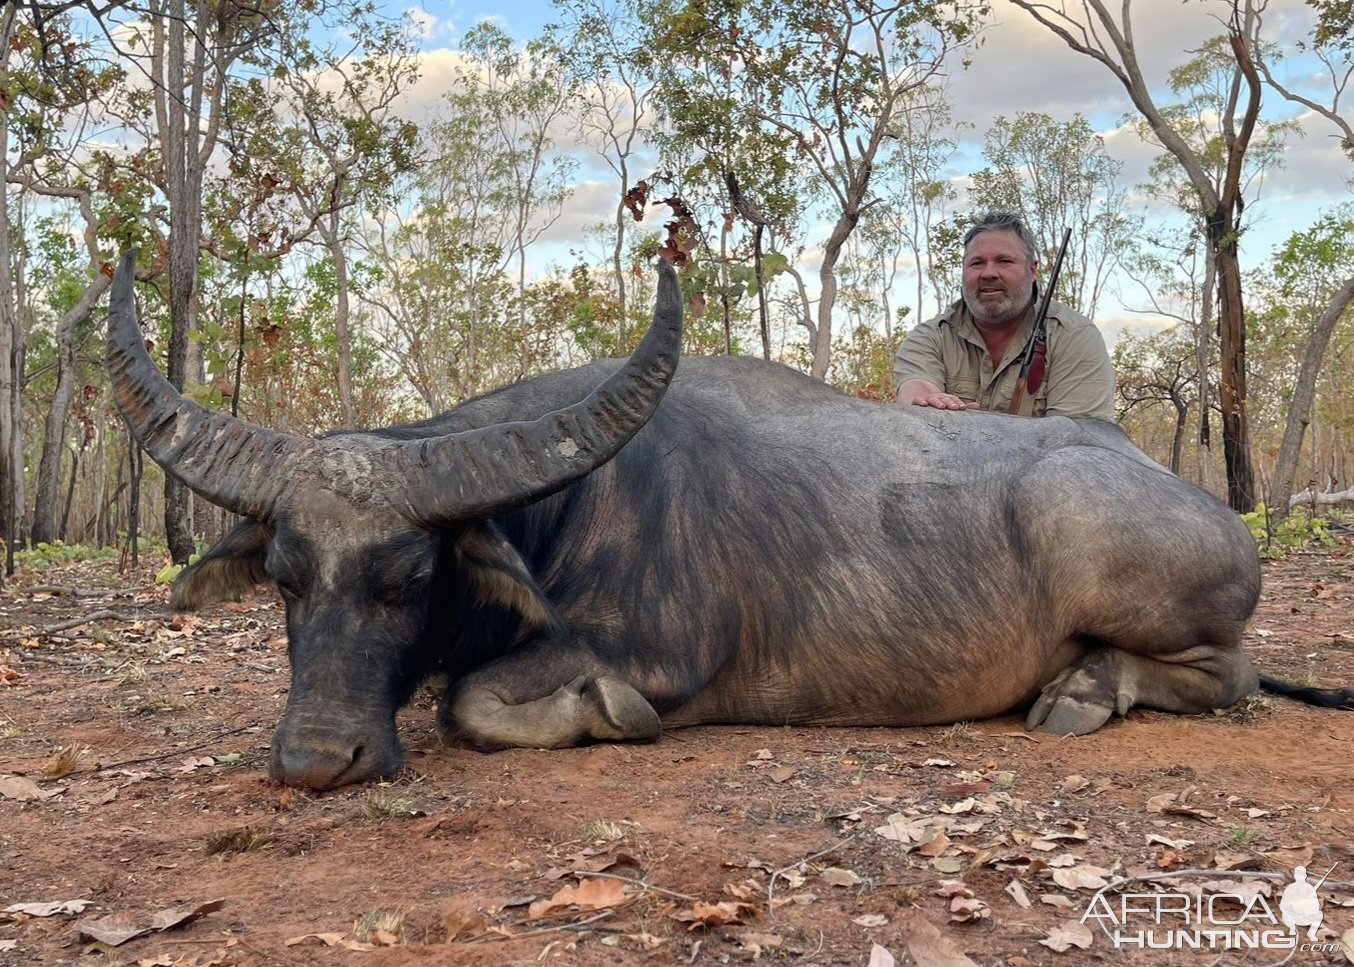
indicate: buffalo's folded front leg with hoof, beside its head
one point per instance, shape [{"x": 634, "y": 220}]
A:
[{"x": 599, "y": 708}]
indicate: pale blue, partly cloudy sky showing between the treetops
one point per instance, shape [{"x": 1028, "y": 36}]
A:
[{"x": 1022, "y": 67}]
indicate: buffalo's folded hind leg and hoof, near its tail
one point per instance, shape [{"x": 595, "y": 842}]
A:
[{"x": 1108, "y": 681}]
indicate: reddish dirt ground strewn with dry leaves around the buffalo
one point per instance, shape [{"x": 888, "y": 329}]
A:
[{"x": 133, "y": 752}]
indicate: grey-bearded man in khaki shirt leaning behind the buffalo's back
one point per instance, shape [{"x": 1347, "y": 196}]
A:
[{"x": 970, "y": 357}]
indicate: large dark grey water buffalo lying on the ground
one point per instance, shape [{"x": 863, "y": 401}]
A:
[{"x": 583, "y": 561}]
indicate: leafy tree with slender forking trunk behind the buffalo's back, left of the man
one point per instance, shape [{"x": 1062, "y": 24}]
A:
[{"x": 805, "y": 95}]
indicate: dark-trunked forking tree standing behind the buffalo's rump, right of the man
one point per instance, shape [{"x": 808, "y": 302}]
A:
[{"x": 1215, "y": 171}]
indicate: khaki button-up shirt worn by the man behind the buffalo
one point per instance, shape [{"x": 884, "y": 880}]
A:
[{"x": 950, "y": 351}]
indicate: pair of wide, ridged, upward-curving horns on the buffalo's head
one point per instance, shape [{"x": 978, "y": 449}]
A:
[{"x": 462, "y": 476}]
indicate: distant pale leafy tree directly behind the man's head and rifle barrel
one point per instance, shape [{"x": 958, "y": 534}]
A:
[{"x": 1058, "y": 175}]
